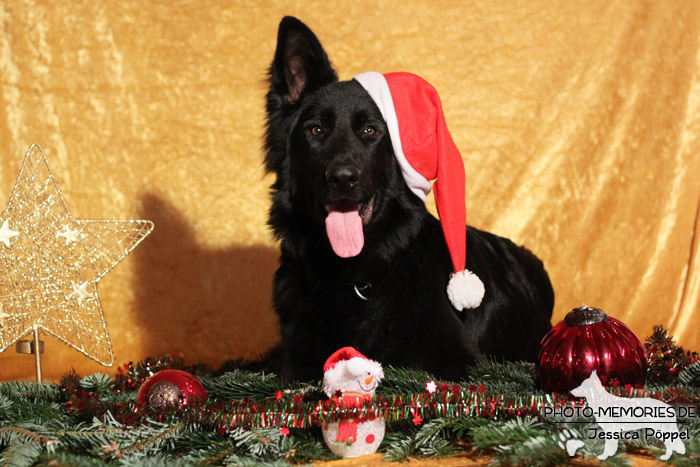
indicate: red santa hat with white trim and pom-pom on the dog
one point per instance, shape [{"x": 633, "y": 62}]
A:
[{"x": 425, "y": 151}]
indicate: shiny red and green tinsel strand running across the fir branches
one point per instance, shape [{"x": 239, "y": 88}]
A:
[{"x": 448, "y": 401}]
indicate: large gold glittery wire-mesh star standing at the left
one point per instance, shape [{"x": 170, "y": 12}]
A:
[{"x": 50, "y": 263}]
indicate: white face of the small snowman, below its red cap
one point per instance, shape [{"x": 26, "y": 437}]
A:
[{"x": 354, "y": 375}]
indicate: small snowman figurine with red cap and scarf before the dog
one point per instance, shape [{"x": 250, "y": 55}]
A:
[{"x": 351, "y": 378}]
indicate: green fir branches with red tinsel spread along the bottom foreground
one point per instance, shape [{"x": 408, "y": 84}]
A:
[{"x": 253, "y": 418}]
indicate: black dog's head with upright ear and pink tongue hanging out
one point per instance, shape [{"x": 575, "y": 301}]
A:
[{"x": 328, "y": 144}]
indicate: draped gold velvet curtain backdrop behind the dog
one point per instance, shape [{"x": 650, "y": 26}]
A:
[{"x": 578, "y": 122}]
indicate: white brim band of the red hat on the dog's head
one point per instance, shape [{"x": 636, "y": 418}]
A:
[{"x": 375, "y": 84}]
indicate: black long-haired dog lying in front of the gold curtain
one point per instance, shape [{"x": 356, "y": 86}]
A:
[{"x": 329, "y": 147}]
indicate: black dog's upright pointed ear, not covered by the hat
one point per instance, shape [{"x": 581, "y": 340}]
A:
[{"x": 300, "y": 64}]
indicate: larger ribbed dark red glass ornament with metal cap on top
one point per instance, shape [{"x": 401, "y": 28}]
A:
[{"x": 589, "y": 340}]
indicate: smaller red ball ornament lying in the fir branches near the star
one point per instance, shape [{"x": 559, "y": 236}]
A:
[{"x": 170, "y": 388}]
